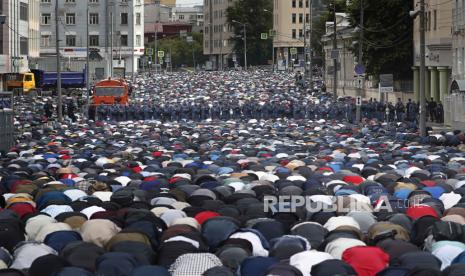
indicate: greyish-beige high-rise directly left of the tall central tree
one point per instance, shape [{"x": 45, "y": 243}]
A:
[{"x": 217, "y": 33}]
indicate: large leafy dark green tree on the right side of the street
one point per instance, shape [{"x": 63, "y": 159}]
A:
[{"x": 388, "y": 36}]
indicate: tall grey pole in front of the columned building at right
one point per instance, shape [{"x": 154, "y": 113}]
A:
[{"x": 422, "y": 70}]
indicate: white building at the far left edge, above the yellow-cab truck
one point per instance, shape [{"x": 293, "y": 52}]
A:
[{"x": 19, "y": 35}]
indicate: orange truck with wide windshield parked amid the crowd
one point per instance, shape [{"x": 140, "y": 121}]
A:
[{"x": 111, "y": 91}]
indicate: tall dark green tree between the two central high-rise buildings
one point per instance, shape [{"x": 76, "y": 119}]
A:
[{"x": 258, "y": 17}]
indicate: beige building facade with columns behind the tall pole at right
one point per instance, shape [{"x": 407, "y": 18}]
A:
[{"x": 440, "y": 56}]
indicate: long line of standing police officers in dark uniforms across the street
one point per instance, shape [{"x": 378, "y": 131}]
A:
[{"x": 343, "y": 110}]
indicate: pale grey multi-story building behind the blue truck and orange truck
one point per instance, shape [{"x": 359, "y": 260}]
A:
[{"x": 115, "y": 38}]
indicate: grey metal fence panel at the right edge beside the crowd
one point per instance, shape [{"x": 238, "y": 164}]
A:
[{"x": 454, "y": 111}]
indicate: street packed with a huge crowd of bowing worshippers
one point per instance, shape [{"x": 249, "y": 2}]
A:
[{"x": 187, "y": 190}]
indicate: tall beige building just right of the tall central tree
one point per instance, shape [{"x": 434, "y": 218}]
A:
[{"x": 289, "y": 19}]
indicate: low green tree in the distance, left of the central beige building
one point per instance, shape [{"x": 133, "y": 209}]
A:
[{"x": 181, "y": 50}]
